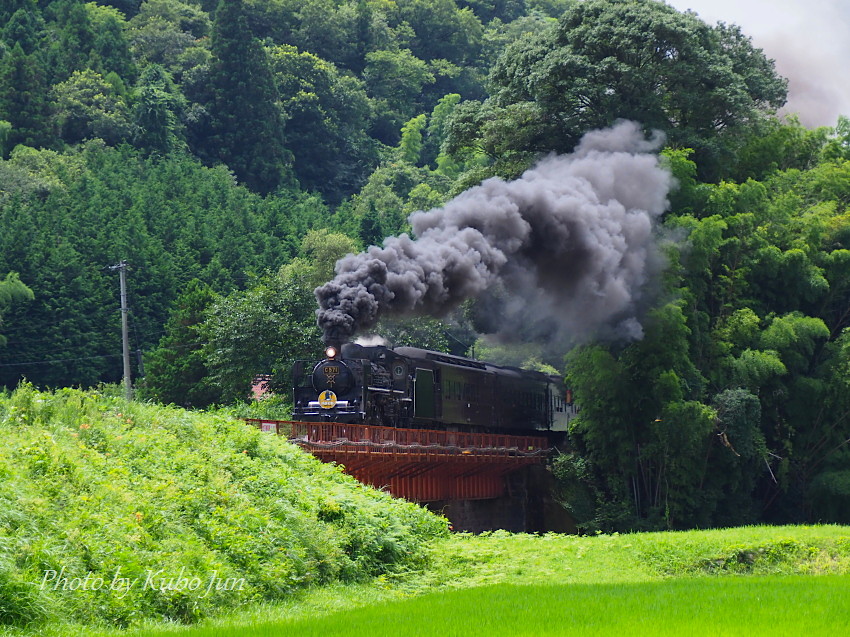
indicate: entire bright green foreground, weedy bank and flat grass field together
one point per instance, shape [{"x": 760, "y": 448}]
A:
[{"x": 93, "y": 483}]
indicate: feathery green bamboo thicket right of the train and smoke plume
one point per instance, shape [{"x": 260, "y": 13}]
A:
[{"x": 756, "y": 346}]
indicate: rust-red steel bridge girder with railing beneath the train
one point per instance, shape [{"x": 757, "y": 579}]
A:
[{"x": 417, "y": 464}]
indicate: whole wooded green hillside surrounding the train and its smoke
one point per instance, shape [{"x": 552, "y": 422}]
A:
[{"x": 230, "y": 151}]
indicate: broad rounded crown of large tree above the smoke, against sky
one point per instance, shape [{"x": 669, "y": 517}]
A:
[{"x": 644, "y": 61}]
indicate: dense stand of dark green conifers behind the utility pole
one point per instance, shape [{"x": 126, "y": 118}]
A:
[{"x": 69, "y": 216}]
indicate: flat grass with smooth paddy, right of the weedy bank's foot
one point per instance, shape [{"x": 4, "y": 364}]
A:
[{"x": 745, "y": 581}]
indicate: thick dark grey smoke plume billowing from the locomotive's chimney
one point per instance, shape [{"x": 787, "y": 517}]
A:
[{"x": 571, "y": 240}]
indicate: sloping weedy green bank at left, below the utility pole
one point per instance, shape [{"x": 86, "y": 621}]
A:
[{"x": 113, "y": 513}]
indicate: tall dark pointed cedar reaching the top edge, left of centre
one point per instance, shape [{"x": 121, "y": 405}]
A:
[{"x": 246, "y": 121}]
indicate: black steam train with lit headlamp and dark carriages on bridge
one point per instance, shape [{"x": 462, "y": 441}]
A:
[{"x": 415, "y": 388}]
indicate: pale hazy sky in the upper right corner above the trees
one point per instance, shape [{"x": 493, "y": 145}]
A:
[{"x": 809, "y": 41}]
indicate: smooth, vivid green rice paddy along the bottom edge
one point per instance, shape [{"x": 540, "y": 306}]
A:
[{"x": 771, "y": 605}]
